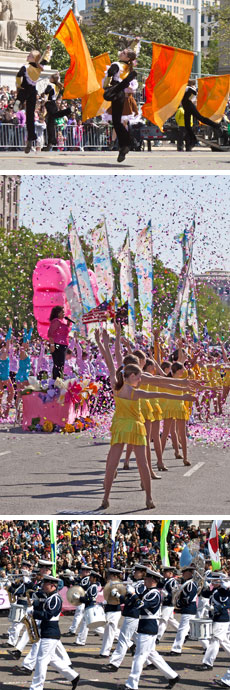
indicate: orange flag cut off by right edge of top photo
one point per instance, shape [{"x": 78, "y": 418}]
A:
[{"x": 213, "y": 95}]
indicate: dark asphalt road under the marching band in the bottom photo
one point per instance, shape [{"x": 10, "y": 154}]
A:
[{"x": 87, "y": 662}]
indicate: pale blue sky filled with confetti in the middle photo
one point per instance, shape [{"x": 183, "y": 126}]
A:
[{"x": 128, "y": 202}]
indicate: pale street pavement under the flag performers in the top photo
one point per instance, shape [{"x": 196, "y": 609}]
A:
[{"x": 164, "y": 157}]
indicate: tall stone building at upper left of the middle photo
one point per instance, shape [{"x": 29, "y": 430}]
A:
[{"x": 9, "y": 201}]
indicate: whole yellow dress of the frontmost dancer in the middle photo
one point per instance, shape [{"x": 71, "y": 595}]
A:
[{"x": 128, "y": 424}]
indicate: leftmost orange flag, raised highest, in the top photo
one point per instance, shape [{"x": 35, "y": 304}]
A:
[{"x": 80, "y": 78}]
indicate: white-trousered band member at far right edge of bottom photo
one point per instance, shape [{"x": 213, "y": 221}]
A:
[{"x": 220, "y": 603}]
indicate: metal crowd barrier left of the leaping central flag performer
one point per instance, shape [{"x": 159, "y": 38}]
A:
[{"x": 69, "y": 137}]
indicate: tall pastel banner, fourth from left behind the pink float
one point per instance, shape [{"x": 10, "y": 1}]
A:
[{"x": 144, "y": 269}]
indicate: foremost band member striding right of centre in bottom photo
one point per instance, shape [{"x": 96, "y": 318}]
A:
[{"x": 147, "y": 632}]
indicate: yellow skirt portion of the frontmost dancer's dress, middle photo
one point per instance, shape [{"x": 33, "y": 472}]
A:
[{"x": 128, "y": 431}]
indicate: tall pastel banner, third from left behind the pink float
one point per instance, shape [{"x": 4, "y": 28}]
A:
[{"x": 126, "y": 283}]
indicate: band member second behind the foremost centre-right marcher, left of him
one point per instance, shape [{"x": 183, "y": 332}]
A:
[{"x": 113, "y": 614}]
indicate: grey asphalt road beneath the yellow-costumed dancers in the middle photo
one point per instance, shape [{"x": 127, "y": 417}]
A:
[{"x": 44, "y": 474}]
